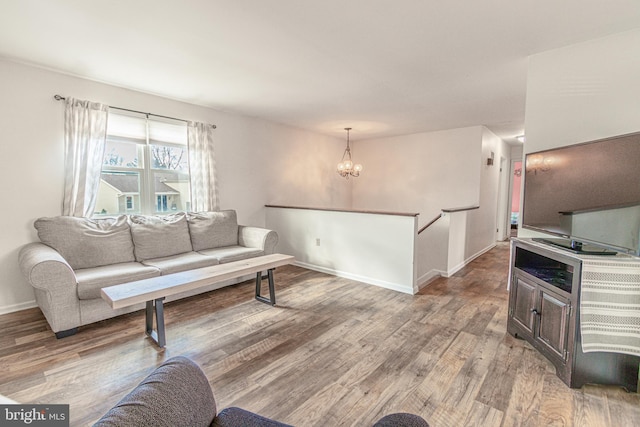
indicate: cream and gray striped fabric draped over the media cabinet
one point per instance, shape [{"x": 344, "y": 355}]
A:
[{"x": 610, "y": 304}]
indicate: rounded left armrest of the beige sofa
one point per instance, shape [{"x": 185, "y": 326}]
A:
[{"x": 54, "y": 283}]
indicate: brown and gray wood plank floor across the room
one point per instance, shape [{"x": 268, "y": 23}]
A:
[{"x": 333, "y": 352}]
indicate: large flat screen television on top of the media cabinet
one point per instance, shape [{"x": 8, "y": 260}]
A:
[{"x": 586, "y": 195}]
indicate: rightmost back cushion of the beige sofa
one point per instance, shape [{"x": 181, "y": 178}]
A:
[{"x": 213, "y": 229}]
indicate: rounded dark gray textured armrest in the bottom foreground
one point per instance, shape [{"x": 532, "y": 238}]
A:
[{"x": 175, "y": 394}]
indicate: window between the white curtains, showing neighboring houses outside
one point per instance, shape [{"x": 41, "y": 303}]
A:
[{"x": 145, "y": 167}]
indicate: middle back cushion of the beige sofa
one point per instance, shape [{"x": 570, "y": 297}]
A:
[{"x": 157, "y": 236}]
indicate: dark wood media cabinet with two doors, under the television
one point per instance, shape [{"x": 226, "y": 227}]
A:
[{"x": 544, "y": 302}]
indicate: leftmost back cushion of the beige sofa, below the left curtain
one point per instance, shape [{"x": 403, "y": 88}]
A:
[{"x": 86, "y": 243}]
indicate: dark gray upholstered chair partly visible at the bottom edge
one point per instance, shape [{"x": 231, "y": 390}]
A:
[{"x": 178, "y": 394}]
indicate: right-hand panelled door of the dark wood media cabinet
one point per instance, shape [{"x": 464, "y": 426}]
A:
[{"x": 553, "y": 322}]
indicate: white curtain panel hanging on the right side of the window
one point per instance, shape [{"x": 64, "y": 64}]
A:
[{"x": 202, "y": 167}]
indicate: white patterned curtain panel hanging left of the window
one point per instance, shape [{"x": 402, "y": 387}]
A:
[{"x": 85, "y": 130}]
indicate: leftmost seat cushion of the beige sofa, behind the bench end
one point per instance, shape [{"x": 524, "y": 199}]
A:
[{"x": 91, "y": 280}]
